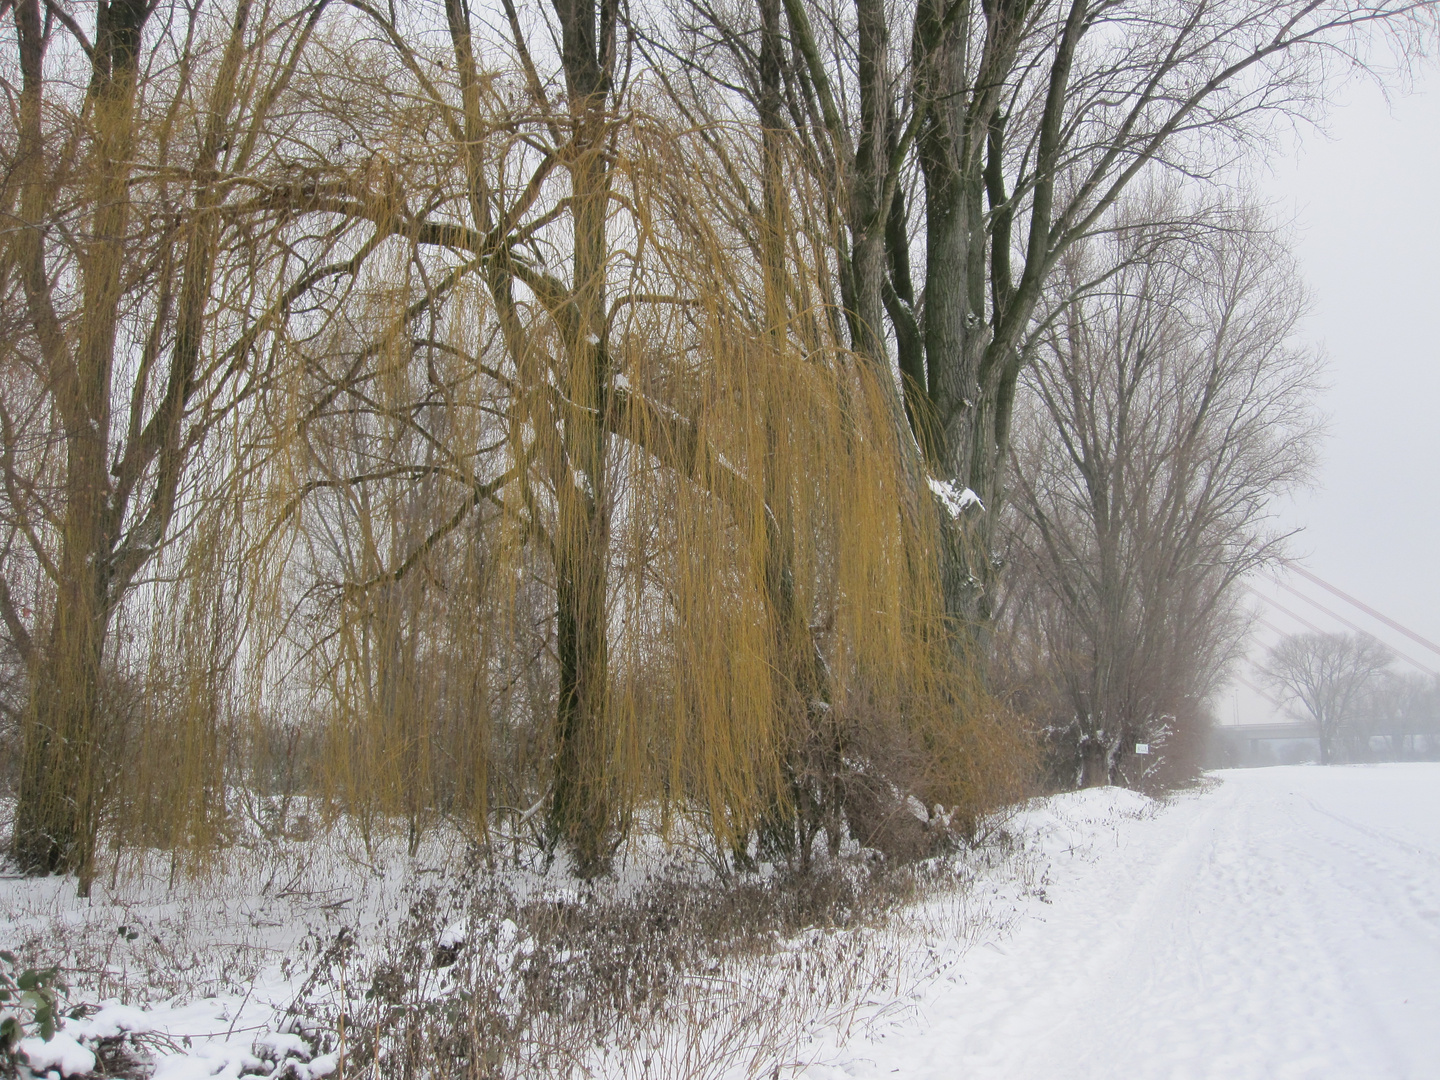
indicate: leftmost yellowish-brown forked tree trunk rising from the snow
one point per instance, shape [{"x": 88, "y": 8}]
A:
[{"x": 57, "y": 816}]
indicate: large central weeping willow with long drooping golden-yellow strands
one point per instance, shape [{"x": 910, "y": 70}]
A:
[{"x": 587, "y": 500}]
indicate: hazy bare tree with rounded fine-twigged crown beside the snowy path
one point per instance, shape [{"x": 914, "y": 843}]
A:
[{"x": 1164, "y": 410}]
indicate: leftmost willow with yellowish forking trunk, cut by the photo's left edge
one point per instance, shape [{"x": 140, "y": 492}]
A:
[{"x": 138, "y": 305}]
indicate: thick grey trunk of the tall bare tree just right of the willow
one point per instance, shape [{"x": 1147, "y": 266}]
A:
[{"x": 971, "y": 355}]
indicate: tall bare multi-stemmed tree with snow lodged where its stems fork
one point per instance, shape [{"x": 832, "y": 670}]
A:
[{"x": 1003, "y": 135}]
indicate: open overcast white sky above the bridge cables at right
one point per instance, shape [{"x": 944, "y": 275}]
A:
[{"x": 1366, "y": 202}]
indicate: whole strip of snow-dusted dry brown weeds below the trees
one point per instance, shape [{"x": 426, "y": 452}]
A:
[{"x": 472, "y": 963}]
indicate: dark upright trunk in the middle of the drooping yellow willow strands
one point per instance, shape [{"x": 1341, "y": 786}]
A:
[{"x": 581, "y": 813}]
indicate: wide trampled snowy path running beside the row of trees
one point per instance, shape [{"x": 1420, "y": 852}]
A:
[{"x": 1284, "y": 924}]
